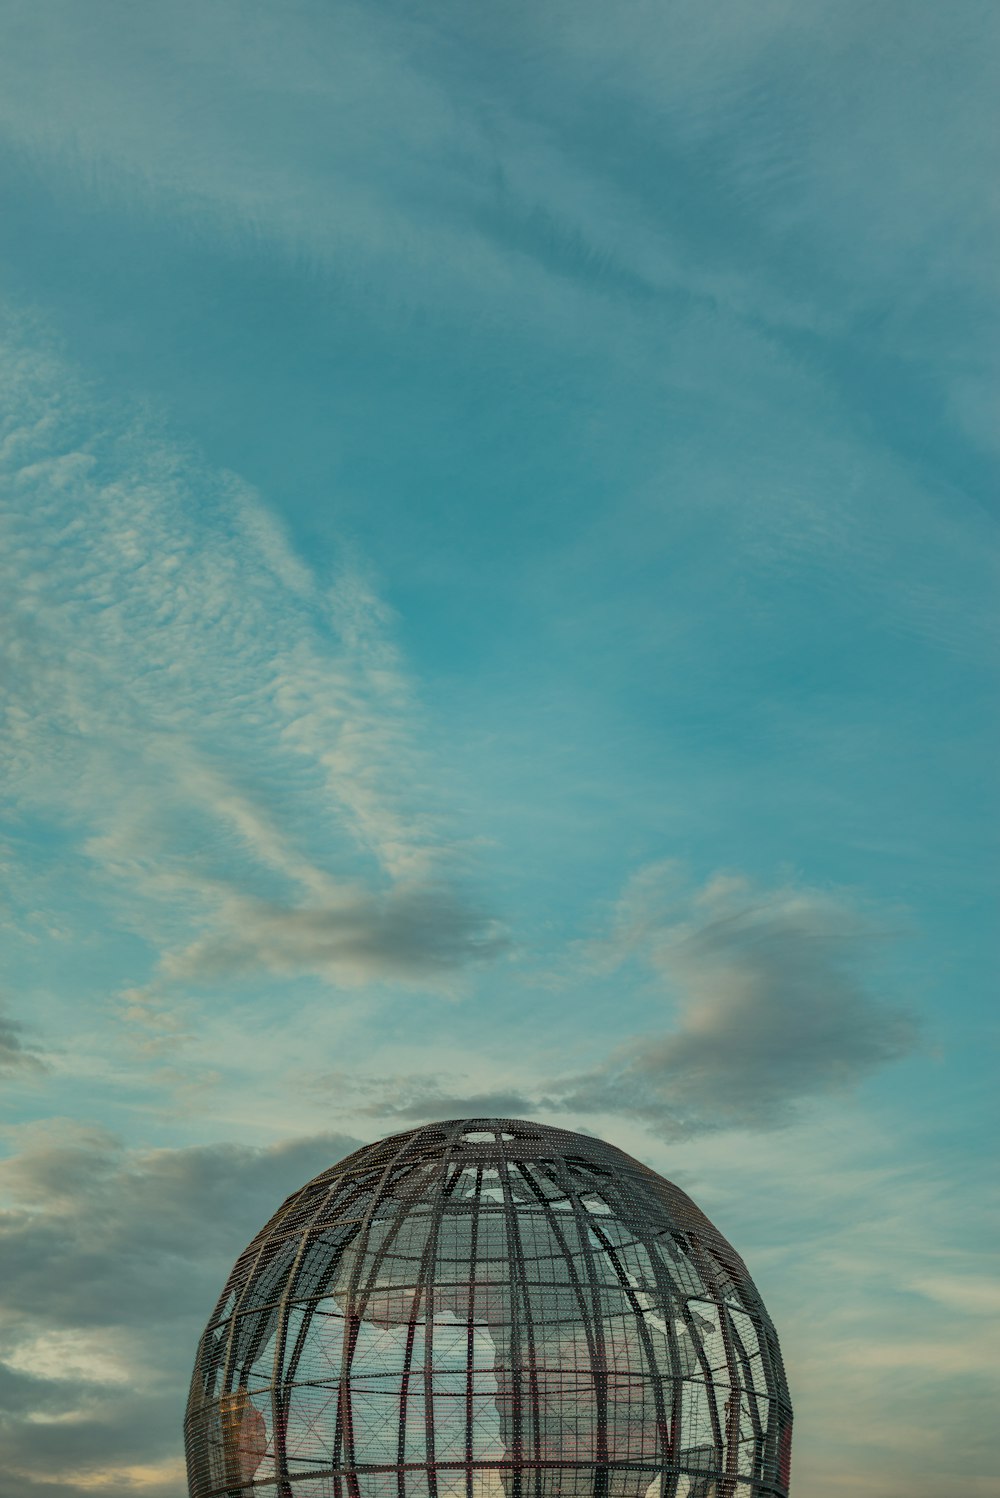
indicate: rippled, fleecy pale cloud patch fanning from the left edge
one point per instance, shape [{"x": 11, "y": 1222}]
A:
[{"x": 233, "y": 742}]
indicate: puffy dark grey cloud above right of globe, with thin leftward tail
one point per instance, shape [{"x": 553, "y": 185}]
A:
[{"x": 775, "y": 1003}]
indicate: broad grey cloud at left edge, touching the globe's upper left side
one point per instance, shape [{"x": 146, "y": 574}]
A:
[{"x": 146, "y": 1231}]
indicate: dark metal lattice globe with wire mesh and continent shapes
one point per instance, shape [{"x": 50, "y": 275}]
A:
[{"x": 489, "y": 1310}]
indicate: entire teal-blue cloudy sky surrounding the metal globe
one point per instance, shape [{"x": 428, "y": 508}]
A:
[{"x": 499, "y": 612}]
